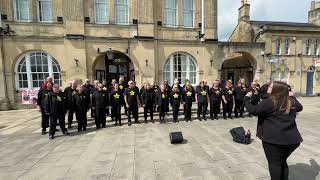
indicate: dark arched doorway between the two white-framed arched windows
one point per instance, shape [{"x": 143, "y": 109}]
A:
[{"x": 119, "y": 66}]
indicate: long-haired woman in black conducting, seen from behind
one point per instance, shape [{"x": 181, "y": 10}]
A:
[{"x": 277, "y": 127}]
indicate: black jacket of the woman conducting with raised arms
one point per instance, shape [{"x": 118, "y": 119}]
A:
[{"x": 275, "y": 126}]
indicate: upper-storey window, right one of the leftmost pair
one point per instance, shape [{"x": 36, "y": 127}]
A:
[{"x": 45, "y": 10}]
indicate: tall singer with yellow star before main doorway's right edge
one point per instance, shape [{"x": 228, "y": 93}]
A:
[{"x": 131, "y": 97}]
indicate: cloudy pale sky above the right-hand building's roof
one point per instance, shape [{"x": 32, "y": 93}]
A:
[{"x": 261, "y": 10}]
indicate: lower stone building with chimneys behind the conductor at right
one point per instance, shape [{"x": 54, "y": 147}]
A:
[{"x": 291, "y": 49}]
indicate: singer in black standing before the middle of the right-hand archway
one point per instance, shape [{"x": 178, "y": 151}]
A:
[{"x": 240, "y": 92}]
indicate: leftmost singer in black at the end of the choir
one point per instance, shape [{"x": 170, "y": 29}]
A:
[{"x": 43, "y": 92}]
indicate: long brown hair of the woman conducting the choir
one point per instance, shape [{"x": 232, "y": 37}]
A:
[{"x": 280, "y": 97}]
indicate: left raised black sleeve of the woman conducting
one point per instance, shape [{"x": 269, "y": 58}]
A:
[{"x": 263, "y": 108}]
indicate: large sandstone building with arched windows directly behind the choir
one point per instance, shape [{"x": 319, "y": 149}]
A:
[{"x": 150, "y": 40}]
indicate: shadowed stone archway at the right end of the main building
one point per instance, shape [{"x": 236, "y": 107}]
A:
[{"x": 239, "y": 65}]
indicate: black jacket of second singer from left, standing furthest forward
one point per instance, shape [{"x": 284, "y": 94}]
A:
[{"x": 55, "y": 104}]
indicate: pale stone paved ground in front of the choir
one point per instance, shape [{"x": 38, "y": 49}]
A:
[{"x": 143, "y": 151}]
